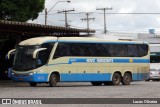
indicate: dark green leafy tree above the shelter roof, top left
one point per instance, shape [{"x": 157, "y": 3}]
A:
[{"x": 20, "y": 10}]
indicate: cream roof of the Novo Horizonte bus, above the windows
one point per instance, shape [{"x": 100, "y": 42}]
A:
[{"x": 41, "y": 40}]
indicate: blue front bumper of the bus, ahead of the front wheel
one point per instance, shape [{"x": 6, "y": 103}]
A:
[{"x": 30, "y": 78}]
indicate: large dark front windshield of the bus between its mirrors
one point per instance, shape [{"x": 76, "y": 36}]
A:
[{"x": 24, "y": 58}]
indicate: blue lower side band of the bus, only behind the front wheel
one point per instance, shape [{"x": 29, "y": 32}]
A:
[{"x": 88, "y": 77}]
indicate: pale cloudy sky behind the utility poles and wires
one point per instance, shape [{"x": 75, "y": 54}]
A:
[{"x": 115, "y": 22}]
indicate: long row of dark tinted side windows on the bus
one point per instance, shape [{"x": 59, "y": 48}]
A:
[{"x": 100, "y": 50}]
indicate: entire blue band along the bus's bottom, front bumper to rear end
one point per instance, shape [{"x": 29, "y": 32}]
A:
[{"x": 76, "y": 77}]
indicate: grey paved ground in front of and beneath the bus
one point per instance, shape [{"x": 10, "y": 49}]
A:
[{"x": 142, "y": 89}]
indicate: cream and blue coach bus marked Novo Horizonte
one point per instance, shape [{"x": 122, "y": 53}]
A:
[{"x": 80, "y": 59}]
